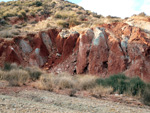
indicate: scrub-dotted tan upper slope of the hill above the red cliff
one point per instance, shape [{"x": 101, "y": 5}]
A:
[{"x": 23, "y": 16}]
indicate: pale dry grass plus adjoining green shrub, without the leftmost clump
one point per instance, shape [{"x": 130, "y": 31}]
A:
[{"x": 97, "y": 87}]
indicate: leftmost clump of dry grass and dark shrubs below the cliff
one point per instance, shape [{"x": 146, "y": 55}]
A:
[{"x": 17, "y": 75}]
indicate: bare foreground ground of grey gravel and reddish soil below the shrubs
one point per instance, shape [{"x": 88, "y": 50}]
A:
[{"x": 27, "y": 99}]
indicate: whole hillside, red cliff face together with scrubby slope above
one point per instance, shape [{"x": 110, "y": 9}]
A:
[{"x": 66, "y": 42}]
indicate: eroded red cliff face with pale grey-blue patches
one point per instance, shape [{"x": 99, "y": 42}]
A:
[{"x": 102, "y": 51}]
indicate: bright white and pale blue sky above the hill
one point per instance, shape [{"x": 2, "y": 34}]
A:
[{"x": 120, "y": 8}]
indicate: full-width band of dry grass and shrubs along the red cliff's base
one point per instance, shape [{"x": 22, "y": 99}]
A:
[{"x": 97, "y": 87}]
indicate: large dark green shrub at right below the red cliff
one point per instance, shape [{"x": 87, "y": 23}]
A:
[{"x": 122, "y": 84}]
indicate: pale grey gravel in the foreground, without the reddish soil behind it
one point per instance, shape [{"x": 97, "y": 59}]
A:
[{"x": 39, "y": 101}]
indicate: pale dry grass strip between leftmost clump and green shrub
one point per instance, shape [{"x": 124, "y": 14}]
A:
[{"x": 76, "y": 83}]
